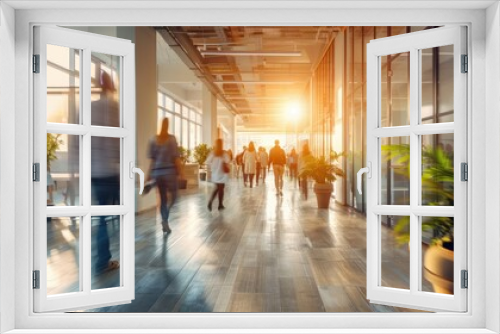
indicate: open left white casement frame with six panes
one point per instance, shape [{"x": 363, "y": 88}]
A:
[{"x": 86, "y": 43}]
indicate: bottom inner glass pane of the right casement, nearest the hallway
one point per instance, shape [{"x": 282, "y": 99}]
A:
[{"x": 395, "y": 251}]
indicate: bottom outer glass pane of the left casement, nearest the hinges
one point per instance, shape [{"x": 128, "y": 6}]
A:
[{"x": 63, "y": 255}]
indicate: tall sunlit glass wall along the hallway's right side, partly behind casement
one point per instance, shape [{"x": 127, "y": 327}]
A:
[{"x": 338, "y": 120}]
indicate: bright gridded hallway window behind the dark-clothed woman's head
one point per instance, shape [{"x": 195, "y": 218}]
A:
[{"x": 185, "y": 121}]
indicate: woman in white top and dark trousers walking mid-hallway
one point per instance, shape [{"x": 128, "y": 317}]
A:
[{"x": 218, "y": 160}]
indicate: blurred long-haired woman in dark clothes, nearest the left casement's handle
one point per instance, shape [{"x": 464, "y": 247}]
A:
[{"x": 166, "y": 168}]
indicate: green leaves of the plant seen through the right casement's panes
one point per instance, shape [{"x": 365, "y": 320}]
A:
[{"x": 437, "y": 184}]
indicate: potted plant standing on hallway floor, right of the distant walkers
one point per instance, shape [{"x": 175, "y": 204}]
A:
[{"x": 323, "y": 172}]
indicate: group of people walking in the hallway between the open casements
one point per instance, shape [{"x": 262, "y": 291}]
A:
[{"x": 166, "y": 168}]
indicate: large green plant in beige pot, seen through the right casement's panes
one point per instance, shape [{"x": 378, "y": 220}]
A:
[{"x": 437, "y": 186}]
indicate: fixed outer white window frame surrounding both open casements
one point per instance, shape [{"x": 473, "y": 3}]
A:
[{"x": 483, "y": 50}]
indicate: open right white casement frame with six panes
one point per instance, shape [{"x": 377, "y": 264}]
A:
[{"x": 413, "y": 43}]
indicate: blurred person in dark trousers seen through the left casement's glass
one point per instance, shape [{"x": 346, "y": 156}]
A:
[{"x": 105, "y": 166}]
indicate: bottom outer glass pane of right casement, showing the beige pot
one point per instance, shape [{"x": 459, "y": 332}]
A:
[{"x": 437, "y": 254}]
